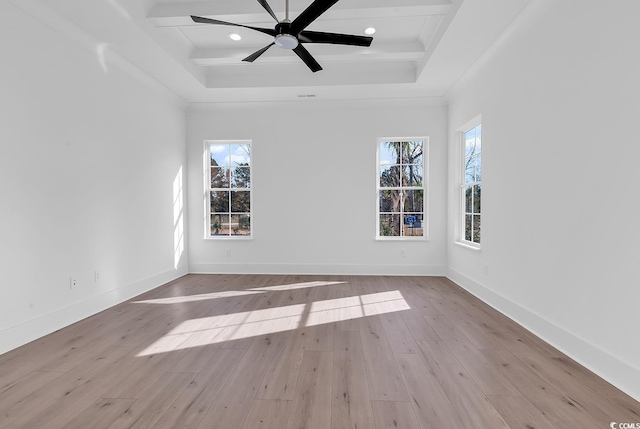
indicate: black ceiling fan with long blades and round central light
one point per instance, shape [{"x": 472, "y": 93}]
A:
[{"x": 291, "y": 35}]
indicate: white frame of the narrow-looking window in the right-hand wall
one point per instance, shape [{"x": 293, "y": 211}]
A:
[{"x": 463, "y": 185}]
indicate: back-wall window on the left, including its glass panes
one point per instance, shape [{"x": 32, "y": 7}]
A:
[{"x": 228, "y": 196}]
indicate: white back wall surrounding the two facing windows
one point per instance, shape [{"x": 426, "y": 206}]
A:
[{"x": 314, "y": 181}]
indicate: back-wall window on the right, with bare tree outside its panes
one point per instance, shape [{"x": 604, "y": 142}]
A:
[{"x": 401, "y": 188}]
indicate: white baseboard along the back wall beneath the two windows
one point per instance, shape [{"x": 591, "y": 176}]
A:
[{"x": 320, "y": 269}]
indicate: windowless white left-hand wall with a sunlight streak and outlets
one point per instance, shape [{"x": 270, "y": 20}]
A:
[{"x": 89, "y": 161}]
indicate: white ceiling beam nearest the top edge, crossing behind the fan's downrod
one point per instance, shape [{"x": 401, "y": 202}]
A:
[{"x": 177, "y": 14}]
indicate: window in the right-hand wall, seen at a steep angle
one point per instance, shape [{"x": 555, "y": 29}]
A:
[{"x": 471, "y": 188}]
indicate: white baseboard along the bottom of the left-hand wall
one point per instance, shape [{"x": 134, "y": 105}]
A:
[{"x": 40, "y": 326}]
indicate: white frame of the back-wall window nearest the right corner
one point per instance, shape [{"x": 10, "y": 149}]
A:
[{"x": 424, "y": 188}]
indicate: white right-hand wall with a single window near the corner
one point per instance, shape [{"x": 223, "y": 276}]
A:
[{"x": 559, "y": 97}]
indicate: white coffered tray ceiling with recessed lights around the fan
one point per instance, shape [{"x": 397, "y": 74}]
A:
[{"x": 420, "y": 48}]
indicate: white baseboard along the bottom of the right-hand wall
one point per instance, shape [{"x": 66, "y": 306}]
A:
[{"x": 617, "y": 372}]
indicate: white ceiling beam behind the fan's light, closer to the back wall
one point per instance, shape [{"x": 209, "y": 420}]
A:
[{"x": 323, "y": 53}]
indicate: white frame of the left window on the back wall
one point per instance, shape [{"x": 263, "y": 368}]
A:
[{"x": 208, "y": 189}]
